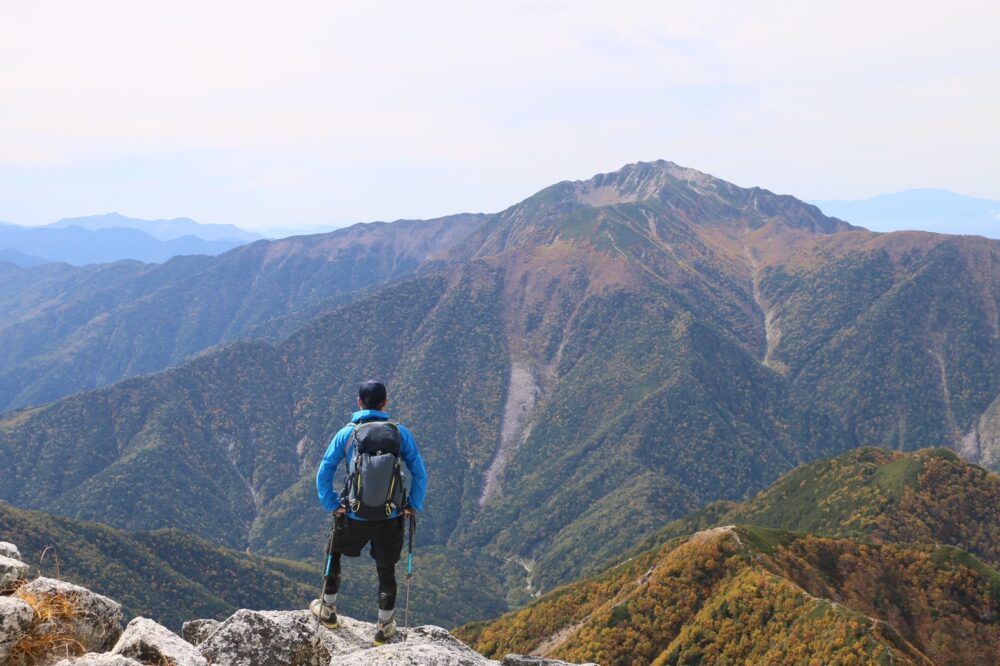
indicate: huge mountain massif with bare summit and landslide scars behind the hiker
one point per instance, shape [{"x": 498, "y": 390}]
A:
[{"x": 581, "y": 368}]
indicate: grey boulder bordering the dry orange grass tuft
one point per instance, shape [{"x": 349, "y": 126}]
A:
[{"x": 96, "y": 624}]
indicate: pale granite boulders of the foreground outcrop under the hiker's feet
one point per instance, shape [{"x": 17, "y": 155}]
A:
[{"x": 50, "y": 622}]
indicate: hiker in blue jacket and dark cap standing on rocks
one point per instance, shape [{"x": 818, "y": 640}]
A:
[{"x": 373, "y": 505}]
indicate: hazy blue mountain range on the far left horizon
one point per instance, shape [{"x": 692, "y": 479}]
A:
[{"x": 79, "y": 246}]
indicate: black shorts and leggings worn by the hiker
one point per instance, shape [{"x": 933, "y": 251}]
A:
[{"x": 350, "y": 536}]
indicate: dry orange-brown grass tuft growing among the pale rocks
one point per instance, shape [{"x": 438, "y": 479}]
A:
[{"x": 47, "y": 637}]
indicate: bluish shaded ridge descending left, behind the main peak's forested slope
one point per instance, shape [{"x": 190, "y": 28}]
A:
[{"x": 66, "y": 329}]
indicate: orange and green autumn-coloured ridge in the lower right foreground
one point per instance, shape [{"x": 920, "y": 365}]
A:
[{"x": 878, "y": 564}]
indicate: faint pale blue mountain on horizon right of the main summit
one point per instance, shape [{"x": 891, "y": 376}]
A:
[{"x": 934, "y": 210}]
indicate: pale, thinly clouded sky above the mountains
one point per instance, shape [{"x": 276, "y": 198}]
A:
[{"x": 299, "y": 113}]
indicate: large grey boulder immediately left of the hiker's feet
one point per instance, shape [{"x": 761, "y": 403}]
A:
[{"x": 265, "y": 638}]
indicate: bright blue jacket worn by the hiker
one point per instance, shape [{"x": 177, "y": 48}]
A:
[{"x": 329, "y": 497}]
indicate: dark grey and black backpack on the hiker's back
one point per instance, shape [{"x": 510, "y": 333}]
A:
[{"x": 374, "y": 486}]
